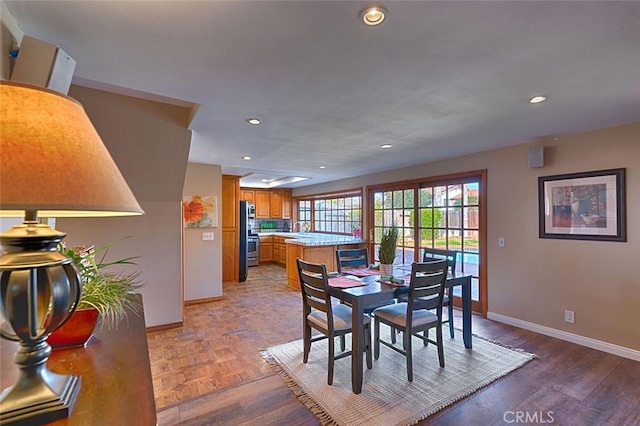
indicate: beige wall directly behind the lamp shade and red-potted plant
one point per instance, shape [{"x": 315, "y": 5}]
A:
[{"x": 151, "y": 147}]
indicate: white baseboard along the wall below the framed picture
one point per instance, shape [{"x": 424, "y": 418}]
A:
[{"x": 569, "y": 337}]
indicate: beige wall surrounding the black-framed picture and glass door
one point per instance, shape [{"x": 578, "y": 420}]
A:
[{"x": 535, "y": 280}]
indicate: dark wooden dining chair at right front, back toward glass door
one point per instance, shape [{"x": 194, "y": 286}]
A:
[{"x": 415, "y": 315}]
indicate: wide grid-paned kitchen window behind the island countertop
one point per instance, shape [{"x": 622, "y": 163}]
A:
[{"x": 335, "y": 213}]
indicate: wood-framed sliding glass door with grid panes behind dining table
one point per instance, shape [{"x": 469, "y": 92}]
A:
[{"x": 446, "y": 212}]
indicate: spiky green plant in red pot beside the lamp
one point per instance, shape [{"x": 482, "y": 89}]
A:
[{"x": 105, "y": 295}]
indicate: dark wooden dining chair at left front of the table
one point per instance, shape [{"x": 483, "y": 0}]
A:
[{"x": 320, "y": 314}]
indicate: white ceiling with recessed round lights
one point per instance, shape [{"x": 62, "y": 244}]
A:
[{"x": 435, "y": 80}]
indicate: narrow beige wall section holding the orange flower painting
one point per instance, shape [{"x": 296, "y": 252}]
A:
[{"x": 203, "y": 259}]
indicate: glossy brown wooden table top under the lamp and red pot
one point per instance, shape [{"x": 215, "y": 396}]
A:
[{"x": 116, "y": 386}]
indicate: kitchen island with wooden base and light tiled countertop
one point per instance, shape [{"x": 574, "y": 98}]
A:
[{"x": 315, "y": 248}]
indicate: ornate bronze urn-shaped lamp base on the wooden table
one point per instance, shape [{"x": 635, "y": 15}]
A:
[{"x": 39, "y": 290}]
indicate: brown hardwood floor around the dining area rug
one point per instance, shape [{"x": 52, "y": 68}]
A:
[{"x": 210, "y": 372}]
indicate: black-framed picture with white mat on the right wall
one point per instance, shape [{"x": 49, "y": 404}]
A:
[{"x": 583, "y": 206}]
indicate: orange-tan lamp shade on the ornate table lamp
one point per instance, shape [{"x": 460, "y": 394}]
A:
[{"x": 52, "y": 159}]
